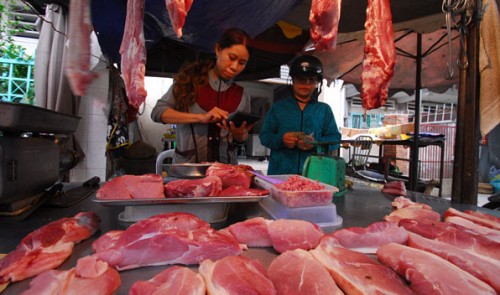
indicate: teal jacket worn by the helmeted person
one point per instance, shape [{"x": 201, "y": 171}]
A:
[{"x": 285, "y": 116}]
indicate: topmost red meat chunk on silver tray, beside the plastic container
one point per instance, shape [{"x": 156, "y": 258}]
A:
[{"x": 231, "y": 174}]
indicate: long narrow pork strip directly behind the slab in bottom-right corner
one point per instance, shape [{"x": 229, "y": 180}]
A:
[{"x": 481, "y": 267}]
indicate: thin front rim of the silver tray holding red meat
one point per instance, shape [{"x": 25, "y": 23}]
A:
[{"x": 199, "y": 200}]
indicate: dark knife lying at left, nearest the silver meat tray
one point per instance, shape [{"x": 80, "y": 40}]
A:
[{"x": 75, "y": 195}]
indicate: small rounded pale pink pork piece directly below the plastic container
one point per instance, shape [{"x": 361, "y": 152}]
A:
[{"x": 291, "y": 234}]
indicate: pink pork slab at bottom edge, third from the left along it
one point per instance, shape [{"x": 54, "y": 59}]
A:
[{"x": 236, "y": 275}]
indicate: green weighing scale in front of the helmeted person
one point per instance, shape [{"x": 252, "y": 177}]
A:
[{"x": 326, "y": 169}]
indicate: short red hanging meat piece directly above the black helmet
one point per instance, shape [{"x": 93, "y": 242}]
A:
[{"x": 324, "y": 17}]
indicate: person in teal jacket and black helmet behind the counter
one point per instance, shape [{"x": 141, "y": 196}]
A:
[{"x": 295, "y": 121}]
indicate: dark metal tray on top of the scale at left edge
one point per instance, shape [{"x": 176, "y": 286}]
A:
[{"x": 17, "y": 117}]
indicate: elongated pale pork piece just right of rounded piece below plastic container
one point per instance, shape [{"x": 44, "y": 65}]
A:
[{"x": 367, "y": 240}]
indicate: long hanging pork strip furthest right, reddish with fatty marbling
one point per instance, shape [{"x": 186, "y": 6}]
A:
[{"x": 379, "y": 54}]
